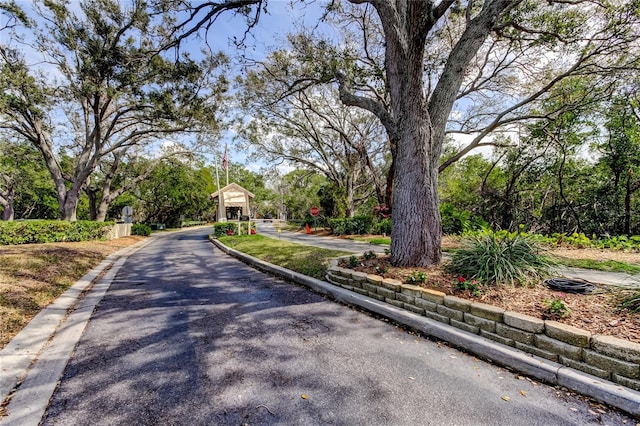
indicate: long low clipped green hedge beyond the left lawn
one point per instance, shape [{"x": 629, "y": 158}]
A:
[{"x": 51, "y": 231}]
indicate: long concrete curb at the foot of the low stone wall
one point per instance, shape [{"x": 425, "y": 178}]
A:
[{"x": 550, "y": 372}]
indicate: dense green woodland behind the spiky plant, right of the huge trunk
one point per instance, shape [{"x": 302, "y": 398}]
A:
[{"x": 575, "y": 173}]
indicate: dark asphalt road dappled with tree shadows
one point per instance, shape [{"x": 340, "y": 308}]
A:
[{"x": 187, "y": 335}]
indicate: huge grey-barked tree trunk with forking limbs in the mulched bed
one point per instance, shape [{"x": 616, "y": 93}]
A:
[{"x": 417, "y": 122}]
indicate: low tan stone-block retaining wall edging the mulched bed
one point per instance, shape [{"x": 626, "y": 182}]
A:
[{"x": 607, "y": 357}]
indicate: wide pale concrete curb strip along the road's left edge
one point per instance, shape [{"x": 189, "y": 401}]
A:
[{"x": 34, "y": 360}]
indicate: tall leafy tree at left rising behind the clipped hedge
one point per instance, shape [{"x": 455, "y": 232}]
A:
[{"x": 116, "y": 91}]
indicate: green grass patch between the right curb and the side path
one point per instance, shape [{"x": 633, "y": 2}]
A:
[{"x": 307, "y": 260}]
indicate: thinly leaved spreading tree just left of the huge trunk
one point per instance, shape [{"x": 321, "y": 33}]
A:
[{"x": 310, "y": 129}]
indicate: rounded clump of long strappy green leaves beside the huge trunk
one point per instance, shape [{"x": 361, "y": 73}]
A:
[{"x": 508, "y": 259}]
